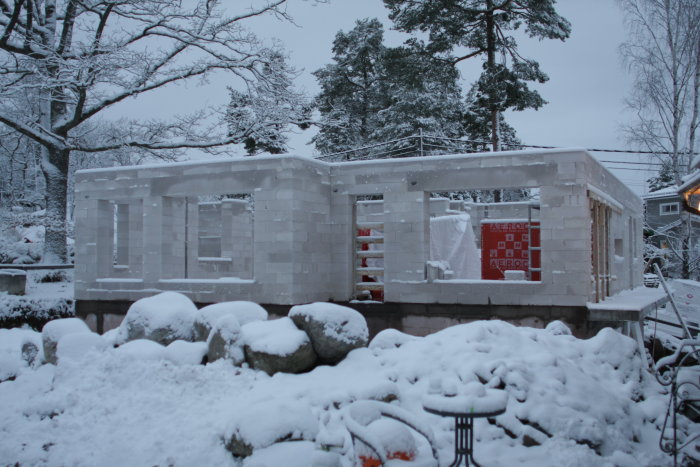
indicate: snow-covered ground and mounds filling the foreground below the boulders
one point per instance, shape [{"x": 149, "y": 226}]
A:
[{"x": 578, "y": 402}]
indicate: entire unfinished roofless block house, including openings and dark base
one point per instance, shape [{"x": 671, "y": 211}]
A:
[{"x": 408, "y": 242}]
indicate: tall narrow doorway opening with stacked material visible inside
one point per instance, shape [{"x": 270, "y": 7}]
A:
[{"x": 368, "y": 248}]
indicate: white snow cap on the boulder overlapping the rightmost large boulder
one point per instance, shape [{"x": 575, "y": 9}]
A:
[{"x": 276, "y": 337}]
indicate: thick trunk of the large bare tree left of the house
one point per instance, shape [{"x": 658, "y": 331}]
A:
[{"x": 55, "y": 168}]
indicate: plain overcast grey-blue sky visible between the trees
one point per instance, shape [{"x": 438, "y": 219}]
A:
[{"x": 586, "y": 90}]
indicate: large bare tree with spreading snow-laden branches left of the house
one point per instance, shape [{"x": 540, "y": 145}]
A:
[{"x": 79, "y": 58}]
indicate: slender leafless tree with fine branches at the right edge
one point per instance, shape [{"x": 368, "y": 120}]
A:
[{"x": 663, "y": 53}]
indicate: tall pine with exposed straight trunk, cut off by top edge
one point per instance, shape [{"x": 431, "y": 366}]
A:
[{"x": 481, "y": 27}]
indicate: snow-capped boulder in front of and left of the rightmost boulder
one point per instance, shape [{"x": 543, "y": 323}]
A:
[{"x": 277, "y": 345}]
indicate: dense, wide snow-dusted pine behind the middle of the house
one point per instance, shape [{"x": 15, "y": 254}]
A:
[{"x": 373, "y": 93}]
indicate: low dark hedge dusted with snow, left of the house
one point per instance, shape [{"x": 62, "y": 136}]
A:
[{"x": 16, "y": 311}]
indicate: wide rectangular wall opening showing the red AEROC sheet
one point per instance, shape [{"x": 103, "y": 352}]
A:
[{"x": 485, "y": 235}]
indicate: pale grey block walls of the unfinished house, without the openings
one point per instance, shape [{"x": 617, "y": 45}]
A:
[{"x": 295, "y": 244}]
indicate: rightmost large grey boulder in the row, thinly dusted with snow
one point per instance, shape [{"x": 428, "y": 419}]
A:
[{"x": 334, "y": 330}]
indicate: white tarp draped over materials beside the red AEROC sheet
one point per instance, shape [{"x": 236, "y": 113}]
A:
[{"x": 452, "y": 240}]
